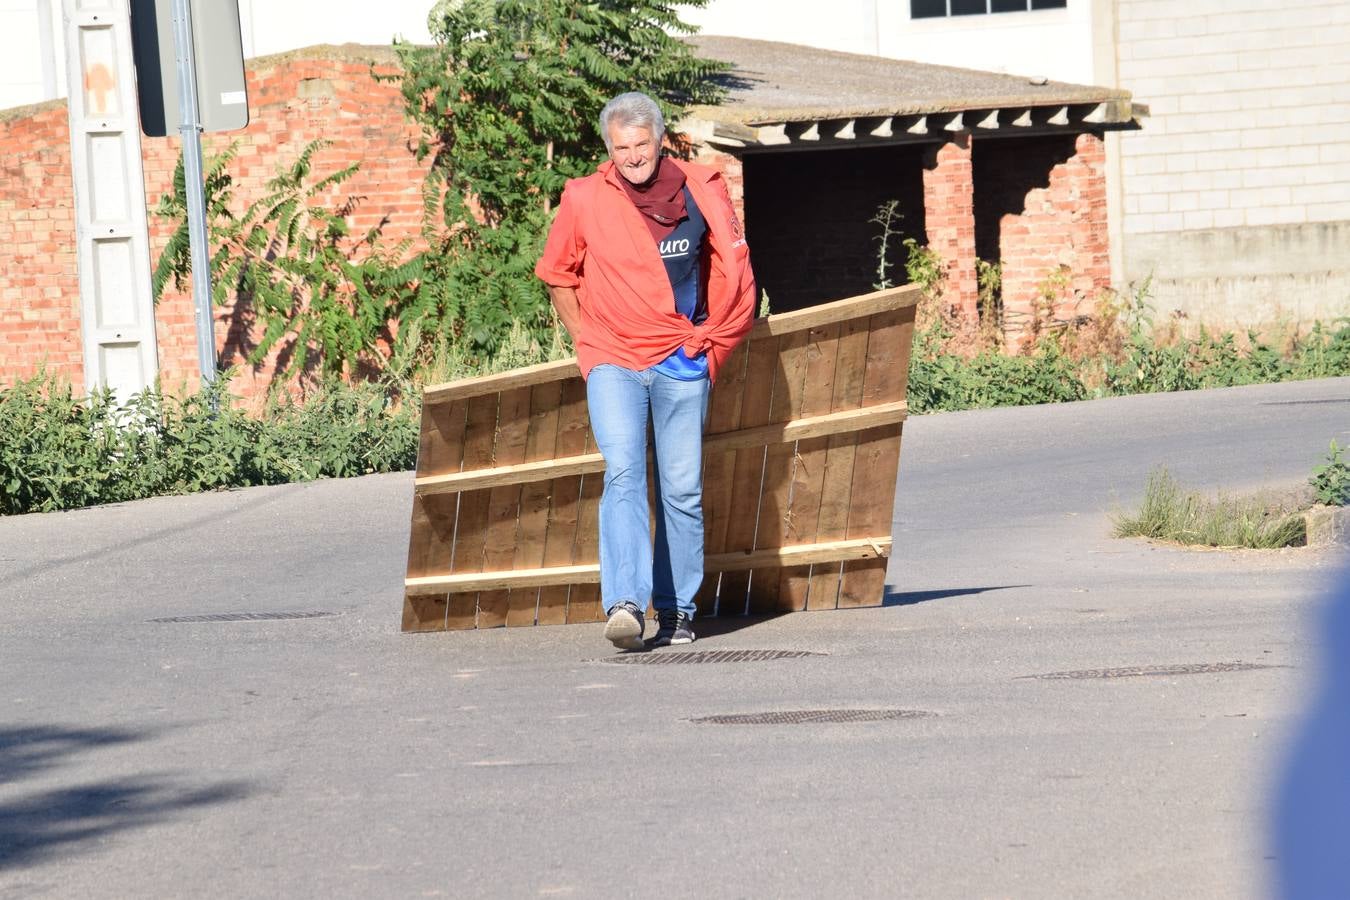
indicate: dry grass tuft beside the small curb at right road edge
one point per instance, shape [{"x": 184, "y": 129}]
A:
[{"x": 1172, "y": 513}]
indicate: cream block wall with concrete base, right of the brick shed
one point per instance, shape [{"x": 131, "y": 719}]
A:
[{"x": 1237, "y": 192}]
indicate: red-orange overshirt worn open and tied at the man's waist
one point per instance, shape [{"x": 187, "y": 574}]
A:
[{"x": 600, "y": 246}]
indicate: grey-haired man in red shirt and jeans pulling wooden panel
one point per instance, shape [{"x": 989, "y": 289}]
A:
[{"x": 649, "y": 271}]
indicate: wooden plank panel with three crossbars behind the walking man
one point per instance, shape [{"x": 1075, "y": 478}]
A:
[{"x": 801, "y": 455}]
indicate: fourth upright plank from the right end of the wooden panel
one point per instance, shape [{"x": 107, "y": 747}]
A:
[{"x": 796, "y": 353}]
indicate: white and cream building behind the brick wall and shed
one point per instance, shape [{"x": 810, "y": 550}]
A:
[{"x": 1235, "y": 198}]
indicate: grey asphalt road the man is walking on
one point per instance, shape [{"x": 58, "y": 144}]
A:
[{"x": 335, "y": 758}]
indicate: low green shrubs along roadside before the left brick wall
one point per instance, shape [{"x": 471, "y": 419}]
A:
[{"x": 60, "y": 451}]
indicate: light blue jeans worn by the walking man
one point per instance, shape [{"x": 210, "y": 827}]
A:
[{"x": 622, "y": 403}]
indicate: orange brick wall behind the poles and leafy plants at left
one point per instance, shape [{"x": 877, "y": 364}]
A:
[{"x": 296, "y": 98}]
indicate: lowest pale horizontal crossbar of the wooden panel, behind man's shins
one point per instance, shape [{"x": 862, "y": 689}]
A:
[{"x": 865, "y": 549}]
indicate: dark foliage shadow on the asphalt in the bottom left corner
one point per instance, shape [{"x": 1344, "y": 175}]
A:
[{"x": 70, "y": 820}]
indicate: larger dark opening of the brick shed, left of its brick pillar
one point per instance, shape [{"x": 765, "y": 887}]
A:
[{"x": 808, "y": 217}]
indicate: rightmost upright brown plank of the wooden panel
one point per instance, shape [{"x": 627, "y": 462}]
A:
[{"x": 873, "y": 495}]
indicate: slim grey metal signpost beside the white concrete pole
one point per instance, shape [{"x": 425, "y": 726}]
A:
[{"x": 192, "y": 169}]
